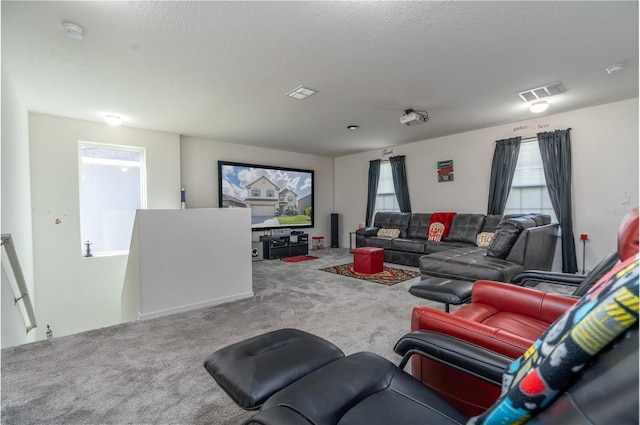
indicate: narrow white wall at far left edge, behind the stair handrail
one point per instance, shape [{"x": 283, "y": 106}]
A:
[{"x": 15, "y": 206}]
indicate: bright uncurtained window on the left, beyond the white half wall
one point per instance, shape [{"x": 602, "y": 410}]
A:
[{"x": 112, "y": 188}]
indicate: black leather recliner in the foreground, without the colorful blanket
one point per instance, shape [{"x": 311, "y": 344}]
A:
[{"x": 366, "y": 389}]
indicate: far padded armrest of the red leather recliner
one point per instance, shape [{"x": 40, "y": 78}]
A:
[{"x": 517, "y": 299}]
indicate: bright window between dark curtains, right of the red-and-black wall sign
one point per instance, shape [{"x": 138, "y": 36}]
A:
[{"x": 529, "y": 188}]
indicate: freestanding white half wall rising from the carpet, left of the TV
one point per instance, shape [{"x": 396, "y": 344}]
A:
[{"x": 187, "y": 259}]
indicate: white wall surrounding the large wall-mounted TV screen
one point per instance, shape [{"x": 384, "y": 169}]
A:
[{"x": 199, "y": 167}]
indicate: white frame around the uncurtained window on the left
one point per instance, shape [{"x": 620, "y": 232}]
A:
[{"x": 143, "y": 189}]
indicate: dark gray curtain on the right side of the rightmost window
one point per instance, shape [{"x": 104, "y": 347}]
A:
[{"x": 555, "y": 150}]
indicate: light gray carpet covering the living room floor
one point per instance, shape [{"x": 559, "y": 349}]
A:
[{"x": 151, "y": 372}]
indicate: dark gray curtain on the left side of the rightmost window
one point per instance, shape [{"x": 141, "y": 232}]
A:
[{"x": 503, "y": 166}]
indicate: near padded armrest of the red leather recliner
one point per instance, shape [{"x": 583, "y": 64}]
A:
[{"x": 498, "y": 340}]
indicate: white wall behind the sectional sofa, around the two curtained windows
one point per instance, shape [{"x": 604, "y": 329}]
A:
[{"x": 604, "y": 143}]
